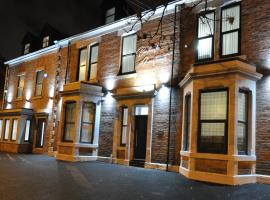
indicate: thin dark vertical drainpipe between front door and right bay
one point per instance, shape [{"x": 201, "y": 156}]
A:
[{"x": 171, "y": 89}]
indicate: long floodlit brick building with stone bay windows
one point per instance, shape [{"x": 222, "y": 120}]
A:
[{"x": 195, "y": 98}]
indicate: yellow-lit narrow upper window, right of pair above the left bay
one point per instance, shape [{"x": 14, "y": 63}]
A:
[{"x": 93, "y": 63}]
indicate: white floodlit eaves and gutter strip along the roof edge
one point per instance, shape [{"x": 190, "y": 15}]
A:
[{"x": 105, "y": 29}]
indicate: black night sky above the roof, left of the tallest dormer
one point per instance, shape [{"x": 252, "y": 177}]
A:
[{"x": 19, "y": 16}]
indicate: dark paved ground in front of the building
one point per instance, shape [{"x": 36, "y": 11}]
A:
[{"x": 40, "y": 177}]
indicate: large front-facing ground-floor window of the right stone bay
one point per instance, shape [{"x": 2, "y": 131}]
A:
[{"x": 213, "y": 121}]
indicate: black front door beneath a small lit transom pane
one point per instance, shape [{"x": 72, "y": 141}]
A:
[{"x": 140, "y": 137}]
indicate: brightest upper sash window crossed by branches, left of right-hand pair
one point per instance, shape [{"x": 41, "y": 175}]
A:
[{"x": 206, "y": 30}]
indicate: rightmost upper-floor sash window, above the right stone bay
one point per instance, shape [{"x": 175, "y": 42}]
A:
[{"x": 230, "y": 30}]
